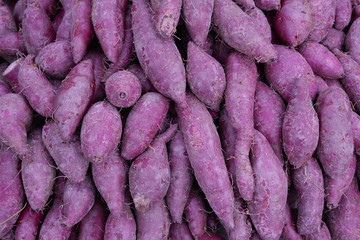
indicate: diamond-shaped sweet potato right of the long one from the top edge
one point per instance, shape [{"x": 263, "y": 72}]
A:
[{"x": 205, "y": 76}]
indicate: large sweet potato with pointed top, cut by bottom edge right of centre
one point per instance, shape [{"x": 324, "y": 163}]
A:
[{"x": 267, "y": 208}]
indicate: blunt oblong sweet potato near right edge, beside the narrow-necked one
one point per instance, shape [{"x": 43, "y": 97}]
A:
[{"x": 336, "y": 147}]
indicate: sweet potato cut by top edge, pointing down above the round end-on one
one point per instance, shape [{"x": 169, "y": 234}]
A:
[{"x": 108, "y": 20}]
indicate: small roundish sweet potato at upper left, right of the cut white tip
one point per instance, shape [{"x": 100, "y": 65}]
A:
[{"x": 55, "y": 59}]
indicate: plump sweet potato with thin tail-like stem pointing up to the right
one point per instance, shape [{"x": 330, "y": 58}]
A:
[{"x": 149, "y": 174}]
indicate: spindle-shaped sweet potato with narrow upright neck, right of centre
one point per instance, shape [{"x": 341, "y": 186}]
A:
[{"x": 300, "y": 130}]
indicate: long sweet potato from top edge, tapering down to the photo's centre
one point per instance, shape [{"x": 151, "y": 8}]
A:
[{"x": 158, "y": 56}]
